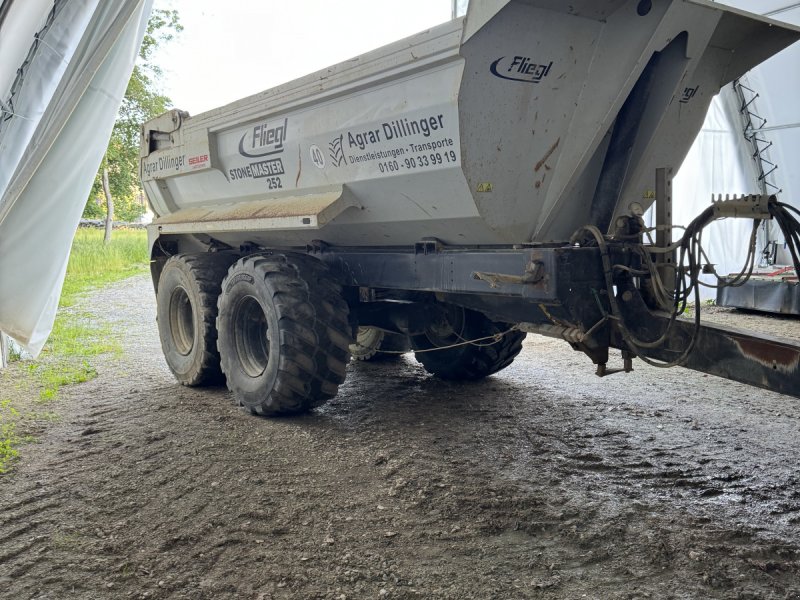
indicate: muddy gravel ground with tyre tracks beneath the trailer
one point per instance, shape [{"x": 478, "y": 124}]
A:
[{"x": 540, "y": 482}]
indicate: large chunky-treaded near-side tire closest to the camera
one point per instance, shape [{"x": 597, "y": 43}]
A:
[{"x": 284, "y": 334}]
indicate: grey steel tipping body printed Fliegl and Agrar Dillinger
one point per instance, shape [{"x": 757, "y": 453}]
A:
[{"x": 520, "y": 123}]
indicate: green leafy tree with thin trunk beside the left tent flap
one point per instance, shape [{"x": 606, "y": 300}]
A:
[{"x": 116, "y": 190}]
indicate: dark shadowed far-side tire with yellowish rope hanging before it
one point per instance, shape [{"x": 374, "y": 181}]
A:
[{"x": 468, "y": 362}]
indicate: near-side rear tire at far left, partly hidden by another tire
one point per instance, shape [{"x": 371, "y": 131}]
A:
[{"x": 186, "y": 310}]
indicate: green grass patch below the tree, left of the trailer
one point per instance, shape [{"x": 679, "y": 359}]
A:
[{"x": 74, "y": 342}]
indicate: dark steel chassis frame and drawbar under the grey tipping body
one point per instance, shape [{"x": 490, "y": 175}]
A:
[{"x": 557, "y": 291}]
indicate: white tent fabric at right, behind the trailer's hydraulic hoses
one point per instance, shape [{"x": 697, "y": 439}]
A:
[{"x": 721, "y": 161}]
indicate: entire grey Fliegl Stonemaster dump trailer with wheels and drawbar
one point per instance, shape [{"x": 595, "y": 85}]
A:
[{"x": 456, "y": 190}]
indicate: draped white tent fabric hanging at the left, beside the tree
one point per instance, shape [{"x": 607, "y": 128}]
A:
[{"x": 57, "y": 117}]
